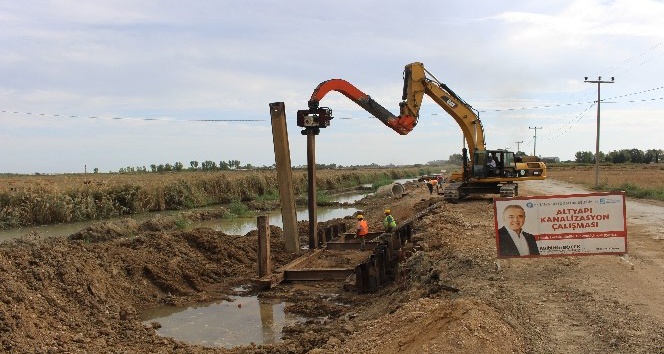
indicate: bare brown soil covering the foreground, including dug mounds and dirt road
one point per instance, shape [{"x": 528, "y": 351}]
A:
[{"x": 83, "y": 294}]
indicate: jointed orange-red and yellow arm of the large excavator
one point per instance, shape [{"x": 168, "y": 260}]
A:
[{"x": 416, "y": 84}]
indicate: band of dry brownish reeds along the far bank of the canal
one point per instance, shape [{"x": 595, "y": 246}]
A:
[{"x": 36, "y": 200}]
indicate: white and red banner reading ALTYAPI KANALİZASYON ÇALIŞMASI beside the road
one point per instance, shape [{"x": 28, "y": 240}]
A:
[{"x": 561, "y": 225}]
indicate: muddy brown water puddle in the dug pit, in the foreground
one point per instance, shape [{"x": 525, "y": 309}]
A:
[{"x": 242, "y": 321}]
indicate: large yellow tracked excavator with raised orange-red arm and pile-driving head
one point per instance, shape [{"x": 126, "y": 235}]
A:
[{"x": 487, "y": 172}]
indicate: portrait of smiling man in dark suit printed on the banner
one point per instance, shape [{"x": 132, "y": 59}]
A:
[{"x": 513, "y": 241}]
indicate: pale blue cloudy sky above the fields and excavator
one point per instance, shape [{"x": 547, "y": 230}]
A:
[{"x": 111, "y": 84}]
